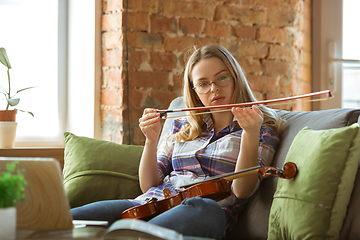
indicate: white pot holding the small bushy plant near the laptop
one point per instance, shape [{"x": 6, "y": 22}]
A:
[{"x": 8, "y": 223}]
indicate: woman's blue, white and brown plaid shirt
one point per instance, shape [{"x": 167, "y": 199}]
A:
[{"x": 208, "y": 155}]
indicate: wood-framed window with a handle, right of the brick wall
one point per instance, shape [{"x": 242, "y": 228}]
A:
[{"x": 336, "y": 52}]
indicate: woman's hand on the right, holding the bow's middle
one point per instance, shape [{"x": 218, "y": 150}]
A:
[{"x": 250, "y": 120}]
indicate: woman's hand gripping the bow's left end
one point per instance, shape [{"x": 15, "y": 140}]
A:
[{"x": 150, "y": 125}]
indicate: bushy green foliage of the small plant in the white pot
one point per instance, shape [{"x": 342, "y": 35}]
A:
[{"x": 12, "y": 185}]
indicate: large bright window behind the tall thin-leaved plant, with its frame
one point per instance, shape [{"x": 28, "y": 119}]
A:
[{"x": 50, "y": 43}]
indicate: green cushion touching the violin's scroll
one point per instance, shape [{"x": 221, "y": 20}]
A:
[{"x": 313, "y": 205}]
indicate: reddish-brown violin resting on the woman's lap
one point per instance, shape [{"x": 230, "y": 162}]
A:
[{"x": 216, "y": 188}]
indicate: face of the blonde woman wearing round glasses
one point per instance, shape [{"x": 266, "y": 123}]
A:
[{"x": 213, "y": 71}]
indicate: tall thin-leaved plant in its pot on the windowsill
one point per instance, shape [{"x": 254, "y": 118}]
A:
[{"x": 8, "y": 116}]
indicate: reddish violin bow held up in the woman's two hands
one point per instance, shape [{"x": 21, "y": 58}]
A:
[{"x": 163, "y": 113}]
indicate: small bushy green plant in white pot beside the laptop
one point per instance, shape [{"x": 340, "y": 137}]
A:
[{"x": 12, "y": 190}]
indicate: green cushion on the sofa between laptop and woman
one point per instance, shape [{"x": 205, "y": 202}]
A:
[{"x": 97, "y": 170}]
